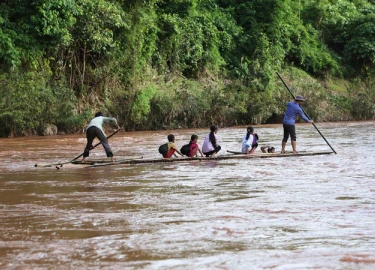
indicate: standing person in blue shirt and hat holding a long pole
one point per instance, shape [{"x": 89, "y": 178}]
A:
[{"x": 293, "y": 109}]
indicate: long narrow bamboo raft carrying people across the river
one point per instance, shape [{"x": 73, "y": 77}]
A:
[{"x": 140, "y": 160}]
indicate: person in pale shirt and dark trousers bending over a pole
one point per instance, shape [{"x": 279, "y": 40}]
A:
[{"x": 95, "y": 130}]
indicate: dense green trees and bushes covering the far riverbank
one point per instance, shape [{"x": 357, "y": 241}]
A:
[{"x": 183, "y": 63}]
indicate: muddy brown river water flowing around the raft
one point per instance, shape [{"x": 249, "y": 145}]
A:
[{"x": 312, "y": 212}]
